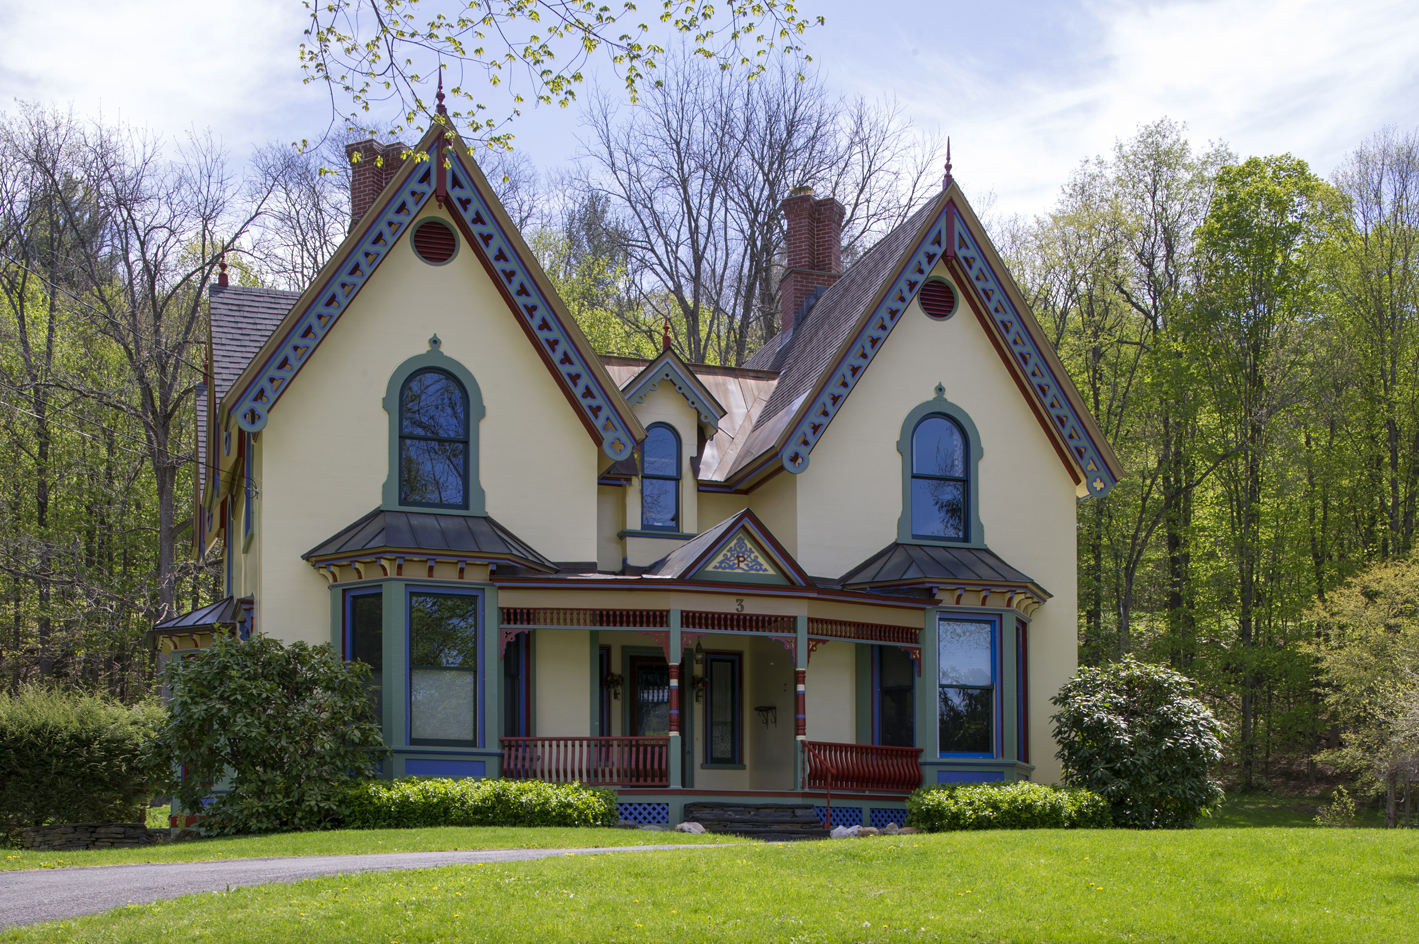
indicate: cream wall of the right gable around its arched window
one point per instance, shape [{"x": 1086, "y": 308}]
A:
[{"x": 849, "y": 499}]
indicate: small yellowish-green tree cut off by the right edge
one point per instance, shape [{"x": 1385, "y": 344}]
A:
[{"x": 1369, "y": 652}]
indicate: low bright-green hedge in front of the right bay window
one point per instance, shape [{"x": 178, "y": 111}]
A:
[{"x": 1021, "y": 806}]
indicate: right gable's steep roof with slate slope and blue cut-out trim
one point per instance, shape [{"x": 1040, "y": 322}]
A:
[{"x": 825, "y": 357}]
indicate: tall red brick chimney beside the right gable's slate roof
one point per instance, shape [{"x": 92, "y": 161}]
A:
[{"x": 814, "y": 253}]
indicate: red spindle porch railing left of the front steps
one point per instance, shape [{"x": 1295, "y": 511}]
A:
[{"x": 597, "y": 762}]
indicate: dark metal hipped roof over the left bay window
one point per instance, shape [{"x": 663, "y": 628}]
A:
[{"x": 429, "y": 533}]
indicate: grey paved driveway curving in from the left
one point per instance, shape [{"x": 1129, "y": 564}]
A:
[{"x": 49, "y": 895}]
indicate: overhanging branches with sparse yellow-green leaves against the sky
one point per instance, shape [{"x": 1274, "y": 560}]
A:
[{"x": 385, "y": 52}]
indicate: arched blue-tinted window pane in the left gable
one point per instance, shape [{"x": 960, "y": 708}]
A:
[{"x": 434, "y": 441}]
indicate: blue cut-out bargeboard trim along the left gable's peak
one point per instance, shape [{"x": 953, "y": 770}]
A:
[{"x": 453, "y": 178}]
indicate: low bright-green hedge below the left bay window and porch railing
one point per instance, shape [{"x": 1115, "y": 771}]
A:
[{"x": 415, "y": 801}]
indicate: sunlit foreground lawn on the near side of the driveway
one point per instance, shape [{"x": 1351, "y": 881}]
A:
[{"x": 1235, "y": 887}]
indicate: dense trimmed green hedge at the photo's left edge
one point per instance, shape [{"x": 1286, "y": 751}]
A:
[{"x": 70, "y": 759}]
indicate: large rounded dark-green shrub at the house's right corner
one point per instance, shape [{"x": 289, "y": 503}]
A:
[{"x": 1136, "y": 736}]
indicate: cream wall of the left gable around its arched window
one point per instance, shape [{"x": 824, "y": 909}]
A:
[{"x": 326, "y": 452}]
